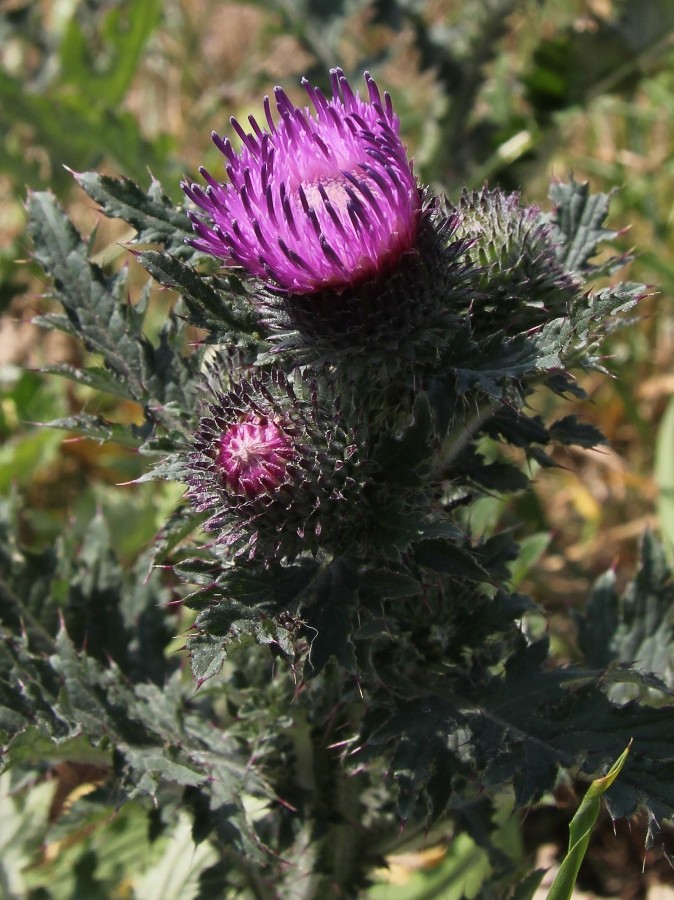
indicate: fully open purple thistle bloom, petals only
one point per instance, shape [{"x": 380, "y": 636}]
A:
[{"x": 325, "y": 198}]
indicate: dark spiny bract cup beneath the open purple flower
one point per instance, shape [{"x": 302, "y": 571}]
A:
[{"x": 406, "y": 316}]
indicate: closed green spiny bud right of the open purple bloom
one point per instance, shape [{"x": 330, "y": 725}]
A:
[{"x": 519, "y": 280}]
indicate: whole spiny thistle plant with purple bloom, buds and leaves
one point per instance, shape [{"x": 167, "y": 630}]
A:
[{"x": 369, "y": 352}]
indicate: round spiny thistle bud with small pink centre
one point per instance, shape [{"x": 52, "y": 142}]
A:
[{"x": 275, "y": 470}]
